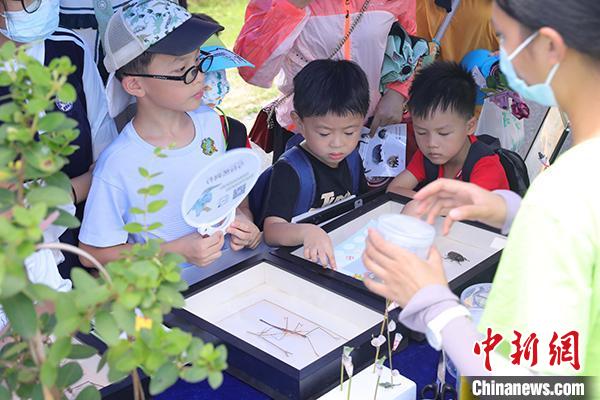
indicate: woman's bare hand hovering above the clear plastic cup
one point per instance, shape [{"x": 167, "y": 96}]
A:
[{"x": 460, "y": 201}]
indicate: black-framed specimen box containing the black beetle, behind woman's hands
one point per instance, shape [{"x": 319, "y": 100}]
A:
[{"x": 470, "y": 251}]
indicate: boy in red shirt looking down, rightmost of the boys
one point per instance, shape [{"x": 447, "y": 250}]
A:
[{"x": 442, "y": 105}]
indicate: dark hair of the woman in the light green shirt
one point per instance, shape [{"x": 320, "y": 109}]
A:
[{"x": 576, "y": 21}]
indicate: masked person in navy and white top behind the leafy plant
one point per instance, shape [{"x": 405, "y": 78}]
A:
[{"x": 34, "y": 23}]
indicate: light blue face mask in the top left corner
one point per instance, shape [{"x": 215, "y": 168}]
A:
[{"x": 24, "y": 27}]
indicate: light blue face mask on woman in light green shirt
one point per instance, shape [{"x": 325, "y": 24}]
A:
[{"x": 540, "y": 93}]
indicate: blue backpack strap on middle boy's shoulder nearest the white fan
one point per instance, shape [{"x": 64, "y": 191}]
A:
[{"x": 296, "y": 158}]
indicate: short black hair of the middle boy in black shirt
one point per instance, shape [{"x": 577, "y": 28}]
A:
[{"x": 339, "y": 87}]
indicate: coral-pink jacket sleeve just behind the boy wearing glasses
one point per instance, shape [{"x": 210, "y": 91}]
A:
[{"x": 269, "y": 31}]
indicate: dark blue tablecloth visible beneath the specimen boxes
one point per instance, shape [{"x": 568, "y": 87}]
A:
[{"x": 417, "y": 362}]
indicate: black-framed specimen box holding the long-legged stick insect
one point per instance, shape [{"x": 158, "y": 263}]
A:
[{"x": 284, "y": 326}]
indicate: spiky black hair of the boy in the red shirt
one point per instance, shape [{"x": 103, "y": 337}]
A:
[{"x": 442, "y": 86}]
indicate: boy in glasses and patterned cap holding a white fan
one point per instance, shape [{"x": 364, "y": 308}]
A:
[{"x": 152, "y": 54}]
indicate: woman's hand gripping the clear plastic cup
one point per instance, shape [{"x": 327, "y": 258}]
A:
[{"x": 402, "y": 273}]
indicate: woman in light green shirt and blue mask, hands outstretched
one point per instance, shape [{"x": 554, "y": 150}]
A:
[{"x": 548, "y": 280}]
